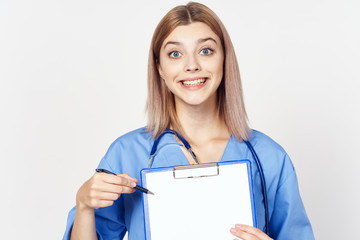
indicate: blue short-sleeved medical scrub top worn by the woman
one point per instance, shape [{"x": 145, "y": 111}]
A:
[{"x": 130, "y": 153}]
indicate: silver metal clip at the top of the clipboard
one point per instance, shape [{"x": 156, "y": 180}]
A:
[{"x": 196, "y": 171}]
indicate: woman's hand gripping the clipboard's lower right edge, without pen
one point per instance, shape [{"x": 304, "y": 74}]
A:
[{"x": 246, "y": 232}]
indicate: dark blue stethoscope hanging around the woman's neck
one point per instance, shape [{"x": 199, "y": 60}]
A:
[{"x": 188, "y": 148}]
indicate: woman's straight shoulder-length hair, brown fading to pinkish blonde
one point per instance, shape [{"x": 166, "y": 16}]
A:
[{"x": 160, "y": 103}]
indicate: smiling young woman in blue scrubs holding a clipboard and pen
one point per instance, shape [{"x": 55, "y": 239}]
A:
[{"x": 194, "y": 89}]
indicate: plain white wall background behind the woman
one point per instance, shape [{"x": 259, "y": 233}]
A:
[{"x": 73, "y": 79}]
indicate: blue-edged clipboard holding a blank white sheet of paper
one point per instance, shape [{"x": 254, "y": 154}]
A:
[{"x": 201, "y": 201}]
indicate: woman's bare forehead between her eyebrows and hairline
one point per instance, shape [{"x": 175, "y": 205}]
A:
[{"x": 191, "y": 33}]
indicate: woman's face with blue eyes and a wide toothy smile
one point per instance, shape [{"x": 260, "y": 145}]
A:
[{"x": 191, "y": 64}]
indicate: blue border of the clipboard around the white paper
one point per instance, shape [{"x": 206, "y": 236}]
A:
[{"x": 161, "y": 169}]
